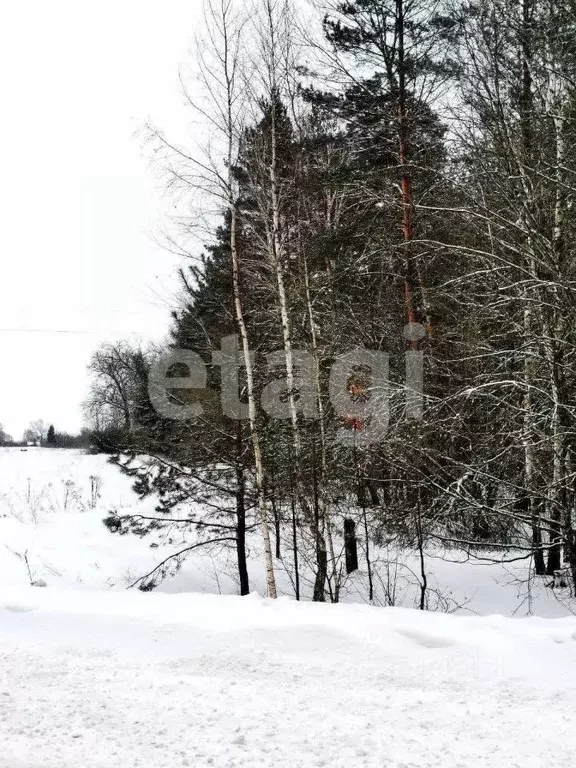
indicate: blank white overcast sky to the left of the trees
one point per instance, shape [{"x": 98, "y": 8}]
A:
[{"x": 79, "y": 203}]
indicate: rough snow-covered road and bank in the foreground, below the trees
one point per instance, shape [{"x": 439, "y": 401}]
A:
[{"x": 106, "y": 679}]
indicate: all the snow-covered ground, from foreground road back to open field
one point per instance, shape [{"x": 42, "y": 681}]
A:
[{"x": 96, "y": 676}]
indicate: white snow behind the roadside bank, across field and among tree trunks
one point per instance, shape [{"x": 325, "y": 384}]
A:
[{"x": 52, "y": 503}]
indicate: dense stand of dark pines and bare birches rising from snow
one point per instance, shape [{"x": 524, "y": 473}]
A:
[{"x": 426, "y": 181}]
